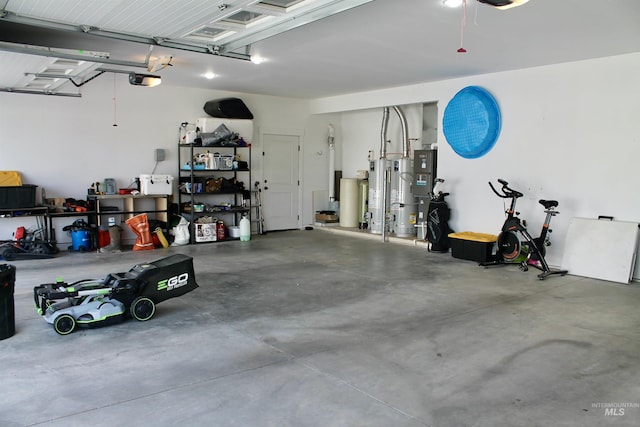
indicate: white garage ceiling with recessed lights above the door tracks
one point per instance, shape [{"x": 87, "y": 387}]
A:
[{"x": 380, "y": 44}]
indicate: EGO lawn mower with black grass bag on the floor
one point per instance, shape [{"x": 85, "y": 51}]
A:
[{"x": 90, "y": 303}]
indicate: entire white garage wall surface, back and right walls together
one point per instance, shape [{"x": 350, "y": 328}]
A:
[{"x": 569, "y": 132}]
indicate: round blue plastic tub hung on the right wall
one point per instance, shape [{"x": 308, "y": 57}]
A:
[{"x": 472, "y": 122}]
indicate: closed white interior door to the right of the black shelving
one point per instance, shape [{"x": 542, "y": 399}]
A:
[{"x": 280, "y": 184}]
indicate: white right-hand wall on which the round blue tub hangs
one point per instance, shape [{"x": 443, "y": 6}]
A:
[{"x": 569, "y": 133}]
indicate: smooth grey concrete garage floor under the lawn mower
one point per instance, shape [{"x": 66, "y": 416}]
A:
[{"x": 311, "y": 328}]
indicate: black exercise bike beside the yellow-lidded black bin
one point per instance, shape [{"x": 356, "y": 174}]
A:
[{"x": 529, "y": 251}]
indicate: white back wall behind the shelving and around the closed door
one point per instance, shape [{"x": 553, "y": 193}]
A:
[{"x": 64, "y": 144}]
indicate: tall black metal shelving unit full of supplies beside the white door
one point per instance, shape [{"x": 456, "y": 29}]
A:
[{"x": 214, "y": 181}]
